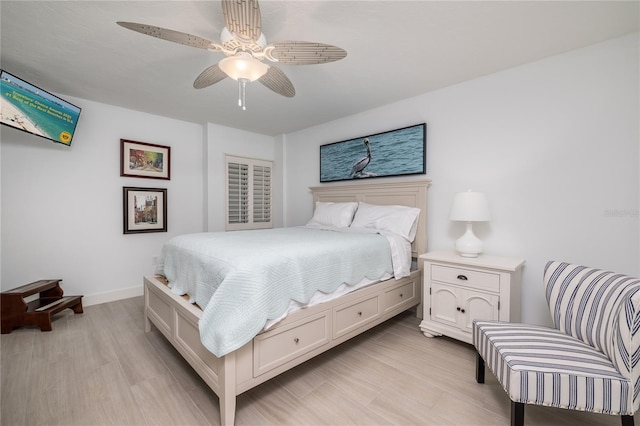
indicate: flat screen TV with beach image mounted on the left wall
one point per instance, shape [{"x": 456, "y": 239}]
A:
[{"x": 36, "y": 111}]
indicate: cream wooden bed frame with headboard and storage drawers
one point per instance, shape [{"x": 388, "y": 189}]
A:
[{"x": 304, "y": 333}]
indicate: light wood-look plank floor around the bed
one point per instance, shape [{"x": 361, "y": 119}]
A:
[{"x": 100, "y": 368}]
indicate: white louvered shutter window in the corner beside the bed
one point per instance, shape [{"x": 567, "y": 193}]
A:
[{"x": 248, "y": 193}]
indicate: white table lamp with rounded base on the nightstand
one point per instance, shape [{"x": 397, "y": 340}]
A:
[{"x": 469, "y": 207}]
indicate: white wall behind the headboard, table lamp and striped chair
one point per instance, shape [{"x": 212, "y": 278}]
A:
[{"x": 554, "y": 145}]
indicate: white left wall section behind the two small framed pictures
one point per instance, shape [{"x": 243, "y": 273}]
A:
[{"x": 62, "y": 206}]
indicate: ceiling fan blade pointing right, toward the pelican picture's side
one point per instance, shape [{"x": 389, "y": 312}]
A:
[{"x": 306, "y": 52}]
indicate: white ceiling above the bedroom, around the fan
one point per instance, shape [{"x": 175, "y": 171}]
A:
[{"x": 396, "y": 50}]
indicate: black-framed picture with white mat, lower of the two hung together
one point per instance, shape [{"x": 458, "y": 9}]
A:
[{"x": 145, "y": 210}]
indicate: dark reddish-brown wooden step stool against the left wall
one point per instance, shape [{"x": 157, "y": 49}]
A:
[{"x": 16, "y": 312}]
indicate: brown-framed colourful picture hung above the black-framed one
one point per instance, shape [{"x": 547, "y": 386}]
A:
[{"x": 145, "y": 160}]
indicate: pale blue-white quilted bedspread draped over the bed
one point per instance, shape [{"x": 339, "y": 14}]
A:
[{"x": 240, "y": 279}]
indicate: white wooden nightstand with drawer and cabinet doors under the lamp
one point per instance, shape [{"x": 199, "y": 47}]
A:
[{"x": 457, "y": 290}]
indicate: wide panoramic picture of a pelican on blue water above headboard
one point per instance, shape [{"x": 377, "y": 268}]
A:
[{"x": 393, "y": 153}]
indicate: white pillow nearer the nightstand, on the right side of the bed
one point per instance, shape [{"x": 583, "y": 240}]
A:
[{"x": 401, "y": 220}]
